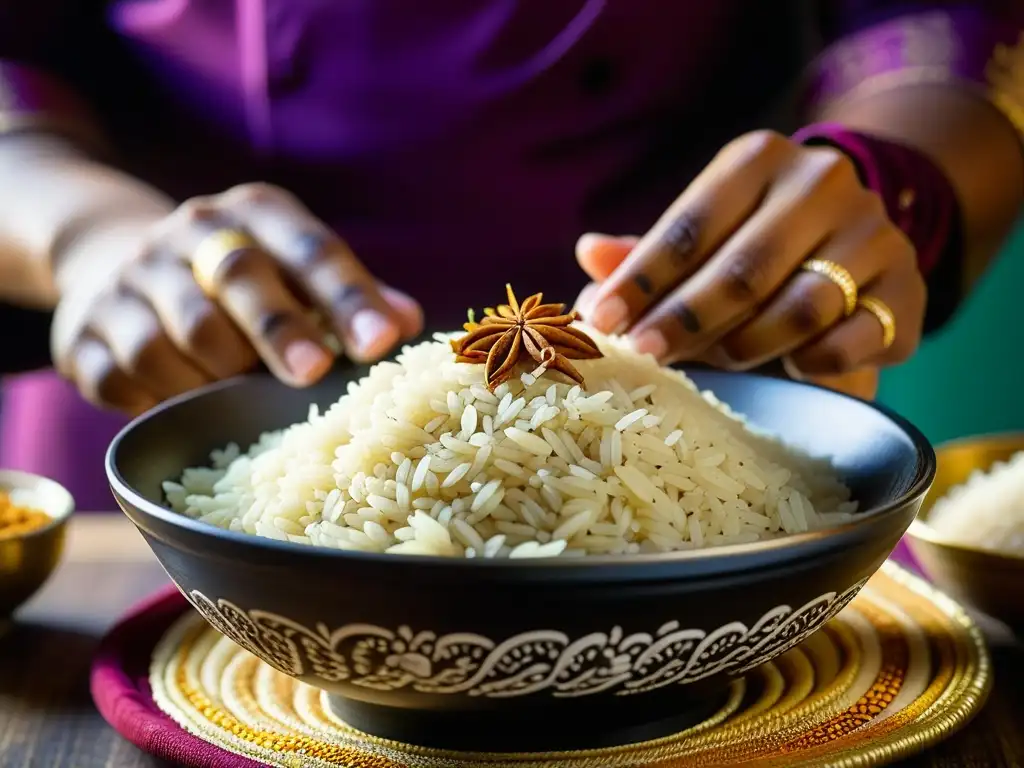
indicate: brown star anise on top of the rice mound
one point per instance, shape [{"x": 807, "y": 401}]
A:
[{"x": 514, "y": 333}]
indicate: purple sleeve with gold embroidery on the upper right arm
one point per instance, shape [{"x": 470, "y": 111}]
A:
[{"x": 877, "y": 46}]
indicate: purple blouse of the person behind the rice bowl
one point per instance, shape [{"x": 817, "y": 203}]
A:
[{"x": 480, "y": 138}]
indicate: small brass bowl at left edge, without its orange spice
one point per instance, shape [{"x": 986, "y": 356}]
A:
[{"x": 28, "y": 561}]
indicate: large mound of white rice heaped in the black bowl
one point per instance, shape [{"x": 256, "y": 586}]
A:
[{"x": 420, "y": 458}]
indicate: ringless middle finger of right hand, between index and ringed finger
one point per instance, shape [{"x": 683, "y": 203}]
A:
[{"x": 755, "y": 264}]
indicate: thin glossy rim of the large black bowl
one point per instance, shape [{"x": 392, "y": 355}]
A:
[{"x": 926, "y": 471}]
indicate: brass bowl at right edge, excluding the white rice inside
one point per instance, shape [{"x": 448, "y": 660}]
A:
[{"x": 991, "y": 582}]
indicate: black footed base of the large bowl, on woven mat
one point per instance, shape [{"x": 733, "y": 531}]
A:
[{"x": 539, "y": 729}]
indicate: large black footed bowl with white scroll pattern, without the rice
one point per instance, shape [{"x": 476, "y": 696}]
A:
[{"x": 521, "y": 655}]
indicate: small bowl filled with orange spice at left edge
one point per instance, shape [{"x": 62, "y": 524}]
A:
[{"x": 34, "y": 511}]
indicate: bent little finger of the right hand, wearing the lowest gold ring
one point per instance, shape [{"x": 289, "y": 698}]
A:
[{"x": 859, "y": 342}]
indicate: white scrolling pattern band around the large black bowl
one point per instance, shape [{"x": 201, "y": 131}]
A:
[{"x": 528, "y": 663}]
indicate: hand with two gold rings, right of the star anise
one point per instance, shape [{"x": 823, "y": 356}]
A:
[{"x": 719, "y": 279}]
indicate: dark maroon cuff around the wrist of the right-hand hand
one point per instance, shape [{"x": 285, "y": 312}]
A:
[{"x": 920, "y": 200}]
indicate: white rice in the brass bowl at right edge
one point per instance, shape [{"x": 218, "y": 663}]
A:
[{"x": 988, "y": 511}]
